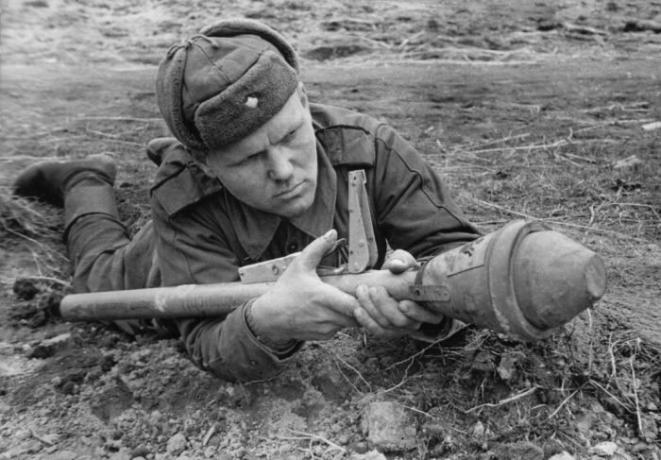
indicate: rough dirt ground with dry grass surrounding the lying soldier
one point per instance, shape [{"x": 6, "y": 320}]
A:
[{"x": 546, "y": 110}]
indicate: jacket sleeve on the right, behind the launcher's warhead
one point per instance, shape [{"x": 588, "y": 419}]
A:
[{"x": 413, "y": 207}]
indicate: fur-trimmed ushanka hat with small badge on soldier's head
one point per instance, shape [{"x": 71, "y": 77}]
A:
[{"x": 221, "y": 85}]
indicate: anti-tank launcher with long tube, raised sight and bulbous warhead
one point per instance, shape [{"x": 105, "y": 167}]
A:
[{"x": 523, "y": 280}]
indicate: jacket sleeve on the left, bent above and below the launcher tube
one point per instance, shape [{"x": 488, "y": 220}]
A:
[{"x": 192, "y": 249}]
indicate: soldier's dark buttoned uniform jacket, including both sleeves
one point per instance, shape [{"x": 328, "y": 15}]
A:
[{"x": 203, "y": 233}]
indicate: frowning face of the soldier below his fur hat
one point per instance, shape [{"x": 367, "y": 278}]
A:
[{"x": 274, "y": 169}]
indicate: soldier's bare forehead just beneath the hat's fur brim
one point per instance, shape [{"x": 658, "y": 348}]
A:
[{"x": 288, "y": 118}]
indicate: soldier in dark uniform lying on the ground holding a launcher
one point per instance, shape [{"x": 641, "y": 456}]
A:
[{"x": 256, "y": 172}]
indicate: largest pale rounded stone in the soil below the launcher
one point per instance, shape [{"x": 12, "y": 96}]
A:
[{"x": 389, "y": 426}]
